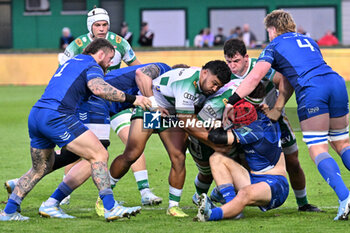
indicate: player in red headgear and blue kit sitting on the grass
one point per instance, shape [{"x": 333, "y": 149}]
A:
[{"x": 265, "y": 185}]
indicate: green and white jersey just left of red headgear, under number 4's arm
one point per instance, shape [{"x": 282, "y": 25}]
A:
[{"x": 215, "y": 104}]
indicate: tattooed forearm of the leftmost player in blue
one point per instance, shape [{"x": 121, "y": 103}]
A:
[{"x": 104, "y": 90}]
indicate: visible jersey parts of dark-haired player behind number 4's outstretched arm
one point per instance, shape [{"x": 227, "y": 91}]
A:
[{"x": 271, "y": 91}]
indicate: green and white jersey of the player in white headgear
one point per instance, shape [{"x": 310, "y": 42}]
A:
[{"x": 123, "y": 50}]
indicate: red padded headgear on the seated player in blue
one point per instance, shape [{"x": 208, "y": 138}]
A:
[{"x": 244, "y": 113}]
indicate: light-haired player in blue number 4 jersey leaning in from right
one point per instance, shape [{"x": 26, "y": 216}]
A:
[{"x": 320, "y": 93}]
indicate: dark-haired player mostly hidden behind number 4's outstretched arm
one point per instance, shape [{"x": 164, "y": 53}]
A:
[{"x": 241, "y": 64}]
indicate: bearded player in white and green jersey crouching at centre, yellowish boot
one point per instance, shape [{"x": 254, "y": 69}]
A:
[{"x": 174, "y": 91}]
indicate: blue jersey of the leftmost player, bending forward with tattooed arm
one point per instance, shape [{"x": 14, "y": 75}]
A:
[{"x": 68, "y": 86}]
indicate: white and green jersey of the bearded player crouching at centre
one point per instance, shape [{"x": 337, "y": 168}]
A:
[{"x": 177, "y": 89}]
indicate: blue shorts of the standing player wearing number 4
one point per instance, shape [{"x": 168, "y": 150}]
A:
[{"x": 323, "y": 94}]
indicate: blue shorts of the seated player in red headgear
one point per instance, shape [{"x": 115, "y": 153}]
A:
[{"x": 279, "y": 189}]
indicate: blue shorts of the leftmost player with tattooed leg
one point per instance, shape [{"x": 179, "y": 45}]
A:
[{"x": 48, "y": 128}]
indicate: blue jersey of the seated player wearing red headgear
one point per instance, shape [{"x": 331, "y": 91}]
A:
[{"x": 261, "y": 143}]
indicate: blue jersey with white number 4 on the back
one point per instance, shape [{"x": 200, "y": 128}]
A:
[{"x": 297, "y": 57}]
